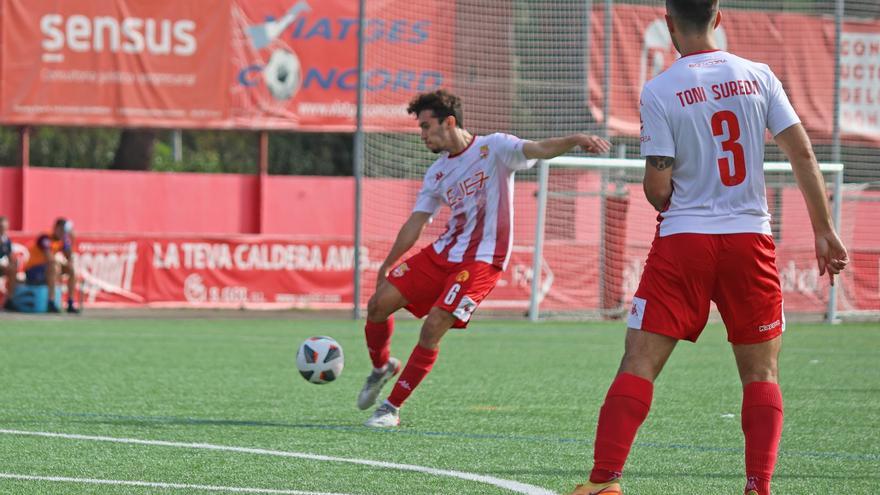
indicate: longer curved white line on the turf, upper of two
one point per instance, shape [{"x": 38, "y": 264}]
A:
[{"x": 510, "y": 485}]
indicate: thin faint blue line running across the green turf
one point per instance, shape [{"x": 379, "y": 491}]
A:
[{"x": 447, "y": 434}]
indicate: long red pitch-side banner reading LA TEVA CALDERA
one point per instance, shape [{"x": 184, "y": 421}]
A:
[{"x": 238, "y": 271}]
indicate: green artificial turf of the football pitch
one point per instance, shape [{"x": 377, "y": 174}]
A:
[{"x": 510, "y": 400}]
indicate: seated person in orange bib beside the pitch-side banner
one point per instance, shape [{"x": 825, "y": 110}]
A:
[{"x": 51, "y": 257}]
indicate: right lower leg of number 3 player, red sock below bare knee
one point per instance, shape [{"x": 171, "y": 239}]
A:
[{"x": 762, "y": 411}]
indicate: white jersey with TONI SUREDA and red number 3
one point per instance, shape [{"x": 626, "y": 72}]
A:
[{"x": 709, "y": 111}]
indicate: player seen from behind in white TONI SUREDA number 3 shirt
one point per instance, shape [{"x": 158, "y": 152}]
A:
[{"x": 703, "y": 125}]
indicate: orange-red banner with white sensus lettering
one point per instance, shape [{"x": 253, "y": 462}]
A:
[{"x": 114, "y": 63}]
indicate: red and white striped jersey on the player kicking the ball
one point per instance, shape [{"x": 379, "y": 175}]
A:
[{"x": 477, "y": 184}]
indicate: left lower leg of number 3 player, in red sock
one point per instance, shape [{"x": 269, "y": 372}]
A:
[{"x": 626, "y": 406}]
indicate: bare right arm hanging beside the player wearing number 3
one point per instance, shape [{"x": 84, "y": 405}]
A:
[{"x": 830, "y": 251}]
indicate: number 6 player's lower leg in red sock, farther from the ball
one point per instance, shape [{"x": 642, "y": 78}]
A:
[{"x": 418, "y": 366}]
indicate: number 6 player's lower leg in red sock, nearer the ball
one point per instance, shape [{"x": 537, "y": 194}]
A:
[{"x": 378, "y": 331}]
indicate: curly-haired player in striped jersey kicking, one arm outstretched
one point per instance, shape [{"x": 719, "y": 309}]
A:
[{"x": 448, "y": 279}]
